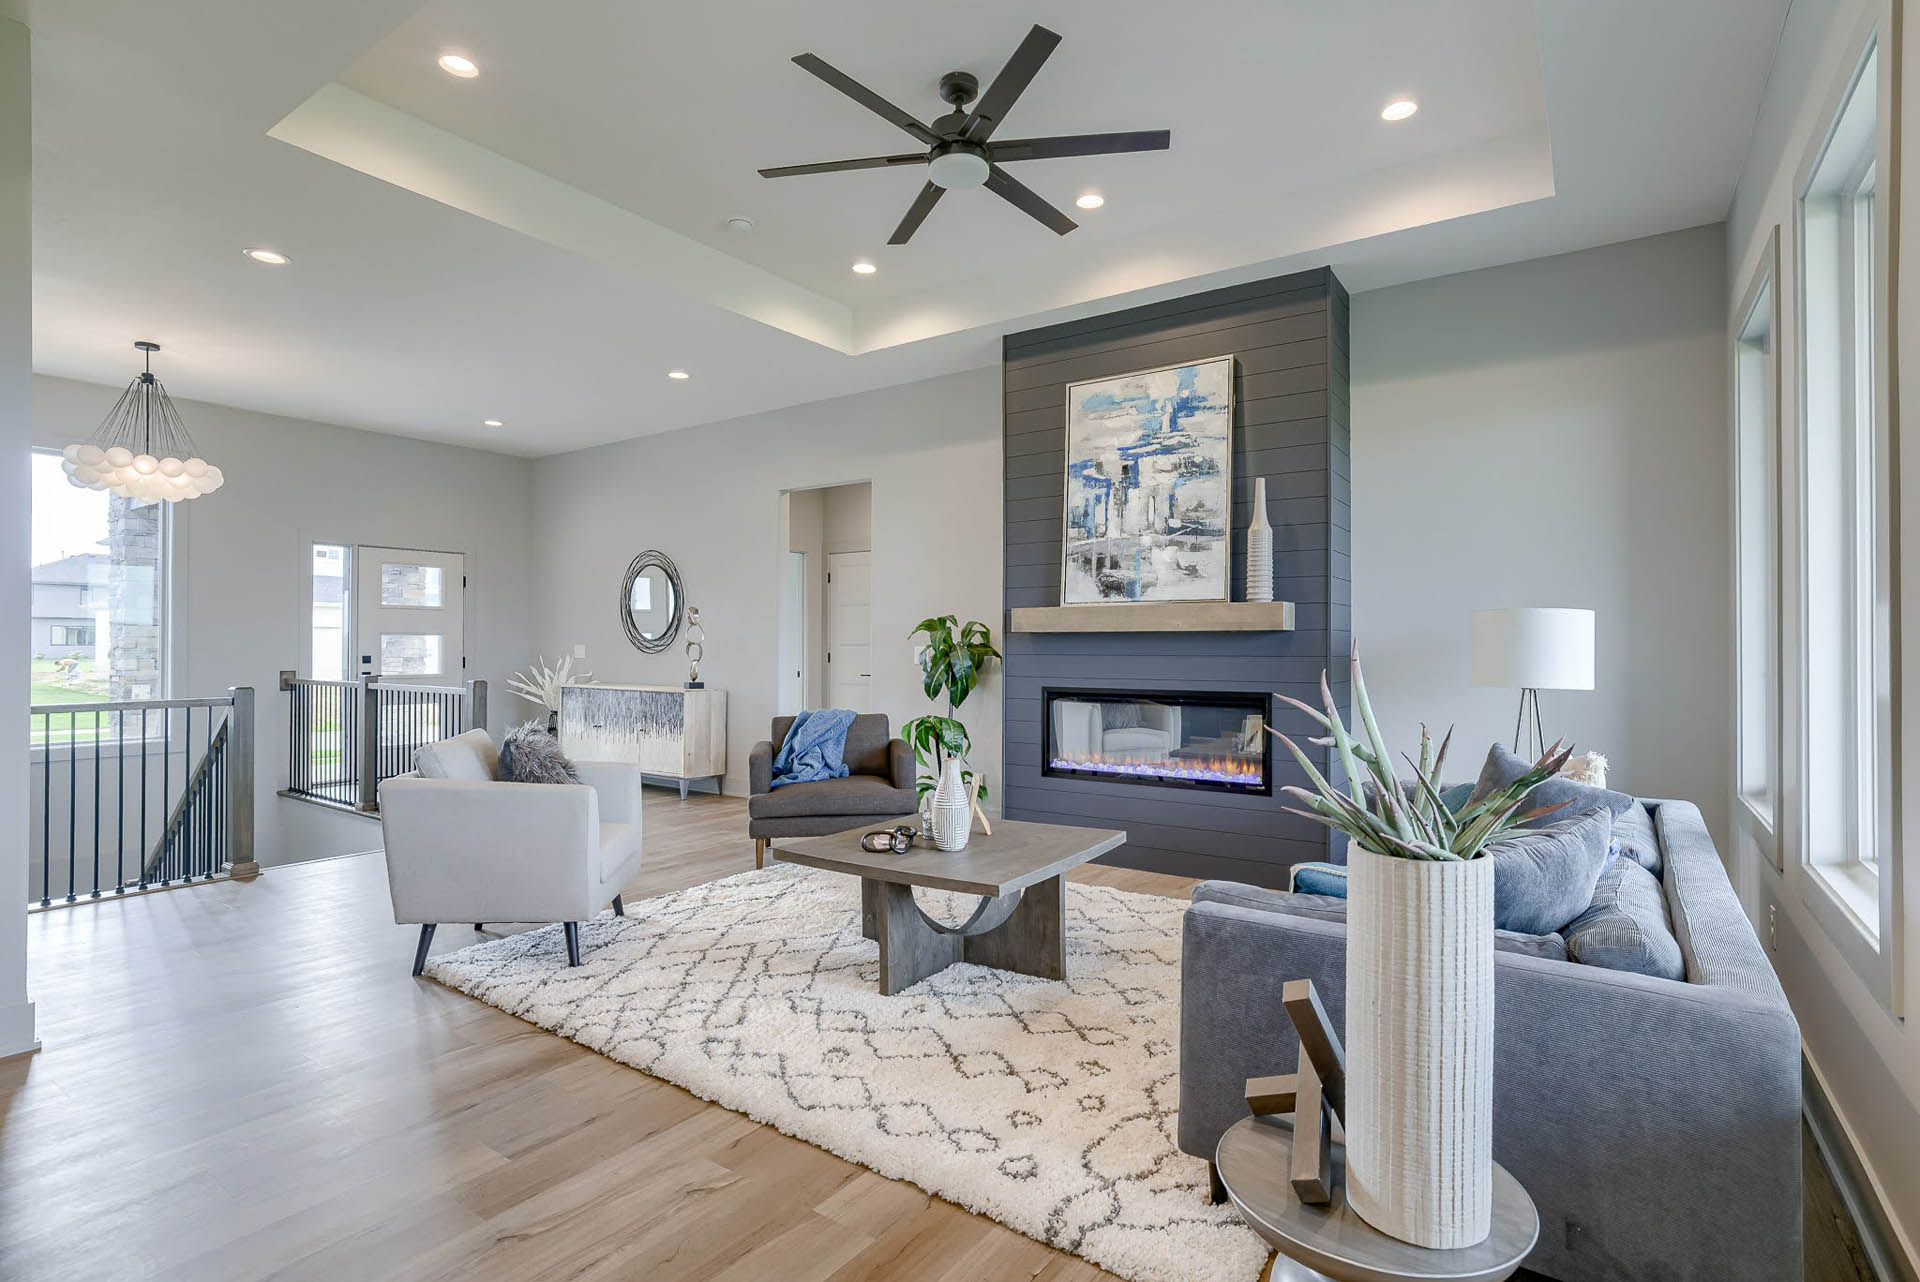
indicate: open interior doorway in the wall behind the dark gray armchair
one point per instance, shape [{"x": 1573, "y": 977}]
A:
[{"x": 827, "y": 636}]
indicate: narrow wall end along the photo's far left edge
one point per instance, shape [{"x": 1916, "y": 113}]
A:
[{"x": 16, "y": 521}]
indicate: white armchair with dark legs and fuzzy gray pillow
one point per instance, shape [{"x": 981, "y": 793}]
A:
[{"x": 464, "y": 847}]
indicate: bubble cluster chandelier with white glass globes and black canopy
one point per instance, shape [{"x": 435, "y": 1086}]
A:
[{"x": 141, "y": 448}]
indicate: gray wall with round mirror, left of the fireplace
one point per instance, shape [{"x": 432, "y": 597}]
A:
[{"x": 711, "y": 500}]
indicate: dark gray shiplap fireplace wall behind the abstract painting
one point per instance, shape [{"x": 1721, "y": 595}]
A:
[{"x": 1289, "y": 339}]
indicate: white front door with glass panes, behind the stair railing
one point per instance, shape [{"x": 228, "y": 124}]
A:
[{"x": 410, "y": 611}]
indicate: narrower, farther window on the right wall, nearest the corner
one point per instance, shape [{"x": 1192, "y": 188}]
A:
[{"x": 1758, "y": 550}]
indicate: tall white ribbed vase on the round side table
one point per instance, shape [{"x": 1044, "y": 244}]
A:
[{"x": 1420, "y": 1043}]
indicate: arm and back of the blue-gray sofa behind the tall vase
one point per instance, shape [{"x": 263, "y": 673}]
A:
[{"x": 1654, "y": 1124}]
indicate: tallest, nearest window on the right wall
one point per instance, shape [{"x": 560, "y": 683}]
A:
[{"x": 1846, "y": 515}]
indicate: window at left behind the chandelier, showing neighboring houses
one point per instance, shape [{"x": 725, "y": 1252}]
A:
[{"x": 99, "y": 596}]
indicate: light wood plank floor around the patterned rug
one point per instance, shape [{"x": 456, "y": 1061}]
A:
[{"x": 243, "y": 1081}]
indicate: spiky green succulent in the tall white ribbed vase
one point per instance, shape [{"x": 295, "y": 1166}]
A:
[{"x": 1378, "y": 815}]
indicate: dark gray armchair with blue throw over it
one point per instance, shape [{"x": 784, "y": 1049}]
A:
[{"x": 880, "y": 786}]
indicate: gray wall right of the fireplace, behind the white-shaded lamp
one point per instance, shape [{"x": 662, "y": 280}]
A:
[{"x": 1552, "y": 435}]
